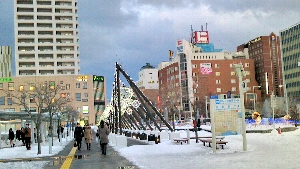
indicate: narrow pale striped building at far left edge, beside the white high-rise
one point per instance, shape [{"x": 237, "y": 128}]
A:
[{"x": 5, "y": 61}]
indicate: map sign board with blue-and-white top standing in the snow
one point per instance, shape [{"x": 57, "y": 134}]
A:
[{"x": 225, "y": 113}]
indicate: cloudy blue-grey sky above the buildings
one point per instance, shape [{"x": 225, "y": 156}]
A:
[{"x": 136, "y": 32}]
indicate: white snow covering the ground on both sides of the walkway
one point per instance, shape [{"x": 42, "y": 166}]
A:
[{"x": 268, "y": 151}]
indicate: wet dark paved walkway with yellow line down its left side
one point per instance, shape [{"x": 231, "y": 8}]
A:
[{"x": 91, "y": 159}]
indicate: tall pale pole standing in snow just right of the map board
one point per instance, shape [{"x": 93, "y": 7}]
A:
[{"x": 239, "y": 70}]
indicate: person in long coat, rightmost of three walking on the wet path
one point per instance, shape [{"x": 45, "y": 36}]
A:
[{"x": 103, "y": 132}]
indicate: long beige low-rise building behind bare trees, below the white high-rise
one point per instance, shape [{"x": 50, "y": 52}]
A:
[{"x": 85, "y": 93}]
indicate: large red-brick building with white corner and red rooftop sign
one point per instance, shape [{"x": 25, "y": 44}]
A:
[{"x": 199, "y": 72}]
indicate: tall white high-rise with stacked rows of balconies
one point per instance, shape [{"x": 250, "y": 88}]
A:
[{"x": 46, "y": 37}]
